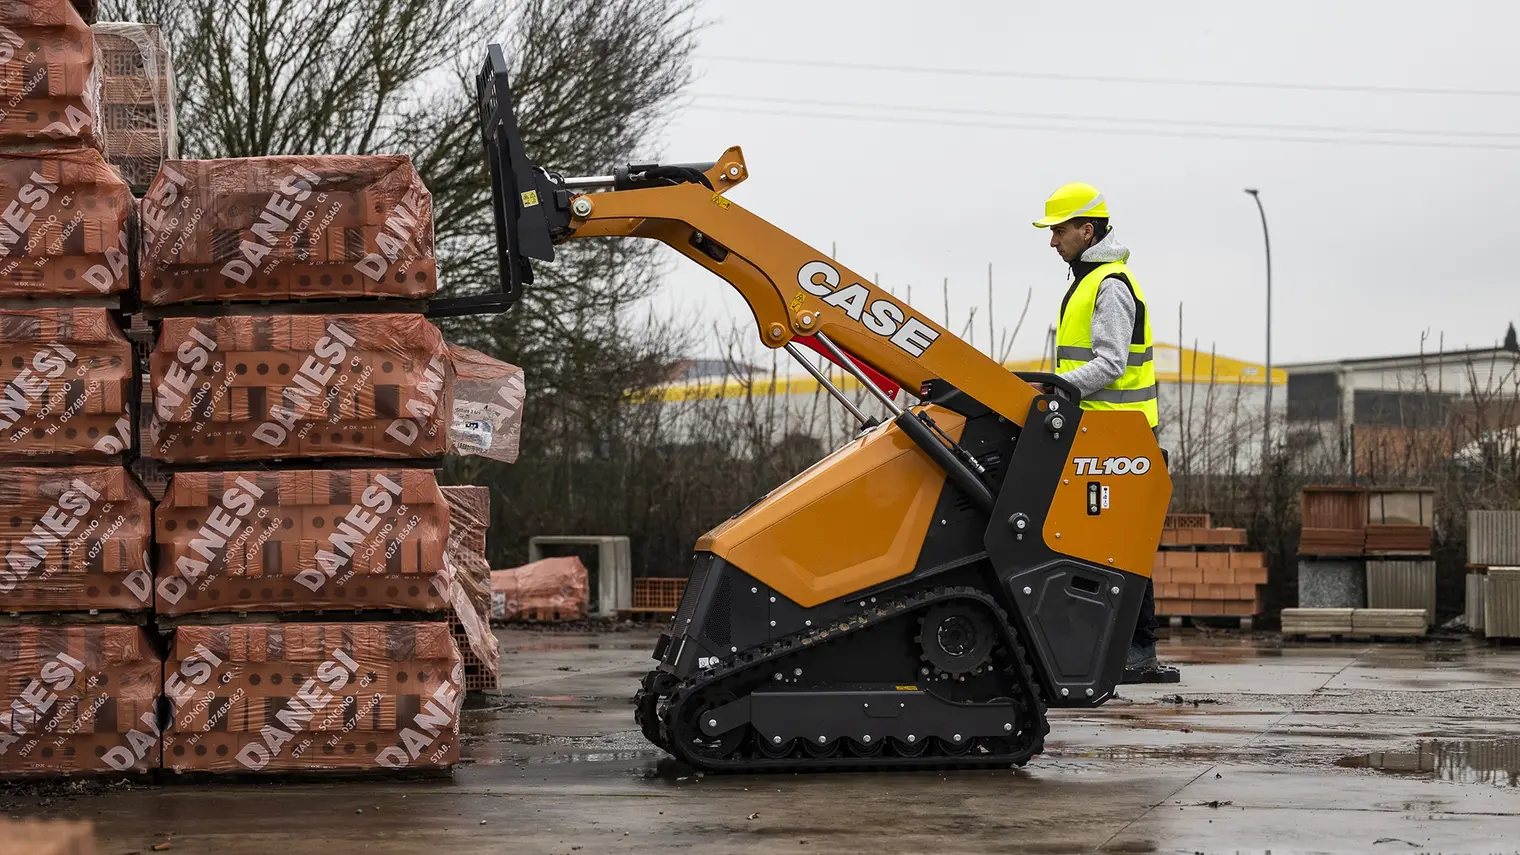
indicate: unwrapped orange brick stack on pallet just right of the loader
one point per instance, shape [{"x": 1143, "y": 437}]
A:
[{"x": 1203, "y": 571}]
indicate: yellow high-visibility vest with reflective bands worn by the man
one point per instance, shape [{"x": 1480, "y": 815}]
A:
[{"x": 1074, "y": 346}]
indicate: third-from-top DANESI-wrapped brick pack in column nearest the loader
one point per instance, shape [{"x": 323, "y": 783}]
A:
[{"x": 302, "y": 541}]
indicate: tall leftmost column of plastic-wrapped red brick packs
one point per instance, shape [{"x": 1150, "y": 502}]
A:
[{"x": 80, "y": 673}]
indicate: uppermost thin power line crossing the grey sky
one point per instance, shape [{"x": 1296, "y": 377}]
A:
[{"x": 1115, "y": 78}]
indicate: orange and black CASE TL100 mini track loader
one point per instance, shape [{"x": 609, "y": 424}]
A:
[{"x": 919, "y": 597}]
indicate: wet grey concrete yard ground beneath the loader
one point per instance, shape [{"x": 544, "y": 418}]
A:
[{"x": 1355, "y": 748}]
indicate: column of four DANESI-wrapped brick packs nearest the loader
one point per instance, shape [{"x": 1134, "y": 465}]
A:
[{"x": 328, "y": 574}]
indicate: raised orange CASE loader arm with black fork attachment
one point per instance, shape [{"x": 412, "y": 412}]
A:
[{"x": 793, "y": 288}]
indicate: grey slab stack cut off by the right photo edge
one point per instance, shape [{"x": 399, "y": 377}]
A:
[{"x": 1493, "y": 573}]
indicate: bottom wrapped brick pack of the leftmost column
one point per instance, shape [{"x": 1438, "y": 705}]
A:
[{"x": 78, "y": 701}]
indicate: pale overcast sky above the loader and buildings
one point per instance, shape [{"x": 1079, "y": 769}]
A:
[{"x": 1376, "y": 237}]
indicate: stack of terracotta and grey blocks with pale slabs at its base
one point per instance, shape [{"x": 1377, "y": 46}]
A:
[{"x": 1364, "y": 562}]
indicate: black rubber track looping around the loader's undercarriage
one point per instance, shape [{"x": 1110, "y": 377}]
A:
[{"x": 1031, "y": 705}]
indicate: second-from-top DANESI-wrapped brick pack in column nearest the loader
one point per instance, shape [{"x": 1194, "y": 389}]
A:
[{"x": 299, "y": 387}]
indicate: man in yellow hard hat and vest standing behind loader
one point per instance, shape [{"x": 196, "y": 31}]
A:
[{"x": 1104, "y": 342}]
